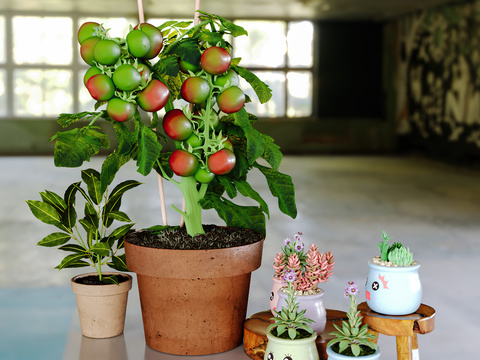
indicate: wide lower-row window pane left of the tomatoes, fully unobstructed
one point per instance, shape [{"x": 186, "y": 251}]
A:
[{"x": 42, "y": 92}]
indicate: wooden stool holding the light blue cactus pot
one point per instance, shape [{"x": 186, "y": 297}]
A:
[{"x": 404, "y": 327}]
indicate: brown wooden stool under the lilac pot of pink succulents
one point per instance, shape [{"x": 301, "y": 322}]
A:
[{"x": 255, "y": 333}]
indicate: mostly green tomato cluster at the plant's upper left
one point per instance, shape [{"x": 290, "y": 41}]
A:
[{"x": 118, "y": 70}]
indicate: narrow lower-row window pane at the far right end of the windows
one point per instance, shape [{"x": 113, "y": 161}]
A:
[{"x": 299, "y": 93}]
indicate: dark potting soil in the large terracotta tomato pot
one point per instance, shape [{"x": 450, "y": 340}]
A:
[{"x": 215, "y": 237}]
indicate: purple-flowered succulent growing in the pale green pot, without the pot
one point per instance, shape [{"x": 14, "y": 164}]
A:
[{"x": 289, "y": 321}]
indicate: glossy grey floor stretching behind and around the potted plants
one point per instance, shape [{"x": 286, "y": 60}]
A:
[{"x": 344, "y": 204}]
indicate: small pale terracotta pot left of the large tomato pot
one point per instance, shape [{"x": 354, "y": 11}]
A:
[{"x": 102, "y": 308}]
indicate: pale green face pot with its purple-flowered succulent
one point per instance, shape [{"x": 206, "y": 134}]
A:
[{"x": 291, "y": 336}]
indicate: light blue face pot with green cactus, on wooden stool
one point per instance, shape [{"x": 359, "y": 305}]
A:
[{"x": 393, "y": 285}]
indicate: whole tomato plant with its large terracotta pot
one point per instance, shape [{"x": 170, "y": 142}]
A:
[{"x": 205, "y": 148}]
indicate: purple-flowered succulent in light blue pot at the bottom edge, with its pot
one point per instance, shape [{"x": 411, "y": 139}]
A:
[{"x": 352, "y": 339}]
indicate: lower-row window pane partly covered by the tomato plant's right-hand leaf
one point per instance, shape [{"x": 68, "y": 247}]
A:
[{"x": 275, "y": 107}]
